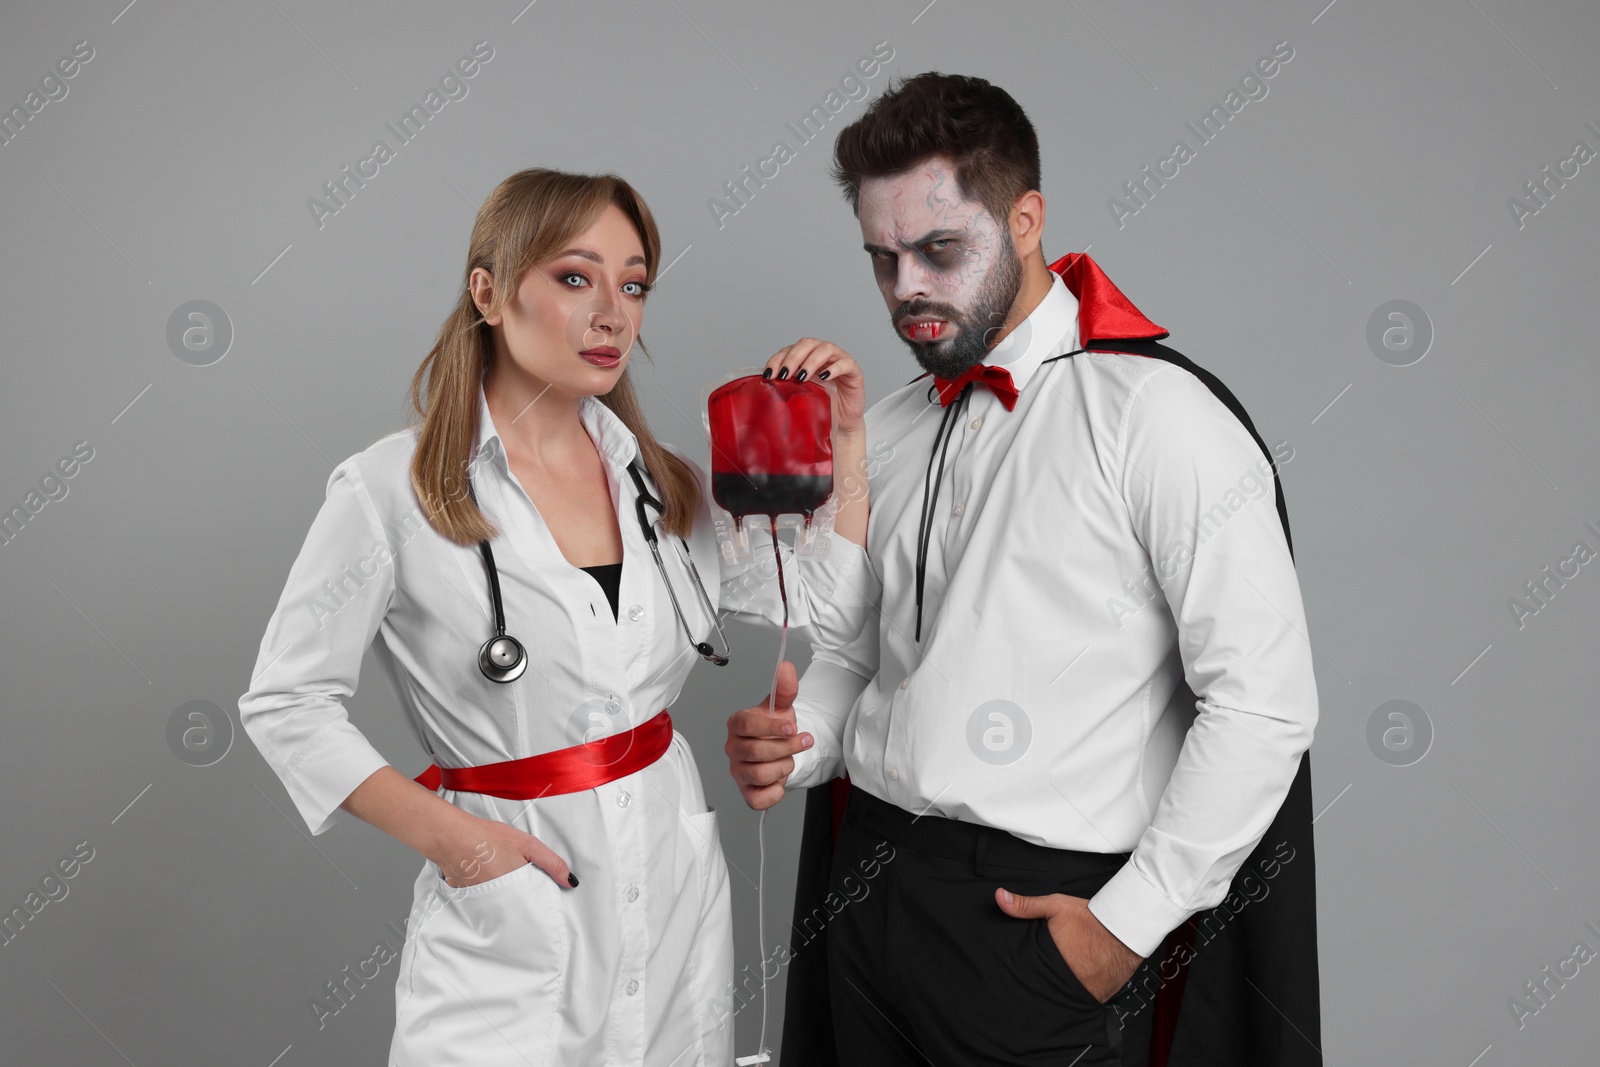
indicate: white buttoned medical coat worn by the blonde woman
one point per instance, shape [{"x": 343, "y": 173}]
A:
[{"x": 634, "y": 965}]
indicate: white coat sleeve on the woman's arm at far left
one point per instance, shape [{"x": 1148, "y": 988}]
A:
[{"x": 311, "y": 655}]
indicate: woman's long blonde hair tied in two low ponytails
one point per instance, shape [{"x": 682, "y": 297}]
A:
[{"x": 527, "y": 220}]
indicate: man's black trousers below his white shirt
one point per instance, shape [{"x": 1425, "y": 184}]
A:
[{"x": 926, "y": 969}]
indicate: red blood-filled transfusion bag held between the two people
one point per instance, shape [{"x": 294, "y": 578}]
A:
[{"x": 772, "y": 447}]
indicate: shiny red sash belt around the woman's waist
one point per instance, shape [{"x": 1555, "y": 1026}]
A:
[{"x": 562, "y": 772}]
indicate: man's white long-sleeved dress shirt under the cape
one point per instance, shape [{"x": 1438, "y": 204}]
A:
[{"x": 1113, "y": 653}]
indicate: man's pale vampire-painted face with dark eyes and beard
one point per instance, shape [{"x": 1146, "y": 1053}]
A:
[{"x": 946, "y": 266}]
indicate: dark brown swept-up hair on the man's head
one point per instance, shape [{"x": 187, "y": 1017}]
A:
[{"x": 974, "y": 124}]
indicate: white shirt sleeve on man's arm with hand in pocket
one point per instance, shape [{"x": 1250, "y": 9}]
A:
[{"x": 1218, "y": 551}]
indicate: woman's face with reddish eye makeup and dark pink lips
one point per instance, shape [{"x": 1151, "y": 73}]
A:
[{"x": 574, "y": 319}]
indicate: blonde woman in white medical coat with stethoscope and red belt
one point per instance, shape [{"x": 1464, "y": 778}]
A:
[{"x": 575, "y": 909}]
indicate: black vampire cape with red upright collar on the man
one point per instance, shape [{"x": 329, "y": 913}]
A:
[{"x": 1234, "y": 986}]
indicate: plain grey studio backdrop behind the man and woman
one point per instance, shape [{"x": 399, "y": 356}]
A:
[{"x": 1378, "y": 169}]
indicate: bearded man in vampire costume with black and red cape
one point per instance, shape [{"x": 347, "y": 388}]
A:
[{"x": 1079, "y": 706}]
